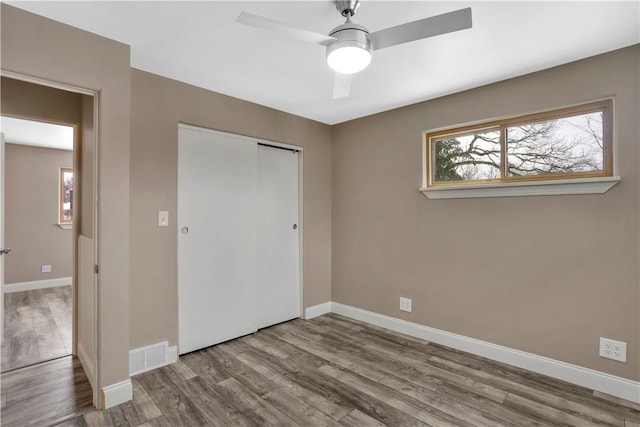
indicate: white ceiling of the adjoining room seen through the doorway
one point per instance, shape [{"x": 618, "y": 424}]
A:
[{"x": 39, "y": 134}]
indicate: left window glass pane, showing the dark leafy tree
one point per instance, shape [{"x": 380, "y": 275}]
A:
[{"x": 469, "y": 157}]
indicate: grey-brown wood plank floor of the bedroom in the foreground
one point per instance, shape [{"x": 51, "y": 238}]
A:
[{"x": 333, "y": 371}]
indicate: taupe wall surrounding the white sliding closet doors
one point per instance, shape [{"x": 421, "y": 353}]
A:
[{"x": 158, "y": 105}]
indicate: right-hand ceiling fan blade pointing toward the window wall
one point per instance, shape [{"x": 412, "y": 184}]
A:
[{"x": 422, "y": 28}]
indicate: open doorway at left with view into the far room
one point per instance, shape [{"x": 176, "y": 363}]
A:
[{"x": 38, "y": 215}]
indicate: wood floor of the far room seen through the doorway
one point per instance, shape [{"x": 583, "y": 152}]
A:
[{"x": 37, "y": 326}]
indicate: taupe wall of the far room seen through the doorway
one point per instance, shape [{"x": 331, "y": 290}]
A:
[{"x": 31, "y": 214}]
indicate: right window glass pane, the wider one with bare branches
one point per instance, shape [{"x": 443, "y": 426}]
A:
[{"x": 566, "y": 145}]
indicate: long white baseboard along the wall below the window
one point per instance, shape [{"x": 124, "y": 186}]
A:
[{"x": 585, "y": 377}]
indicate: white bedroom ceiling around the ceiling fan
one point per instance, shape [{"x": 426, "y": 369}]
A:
[{"x": 200, "y": 43}]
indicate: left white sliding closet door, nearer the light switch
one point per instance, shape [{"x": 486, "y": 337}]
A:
[{"x": 217, "y": 176}]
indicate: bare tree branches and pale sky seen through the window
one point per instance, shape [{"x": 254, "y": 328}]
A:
[{"x": 566, "y": 145}]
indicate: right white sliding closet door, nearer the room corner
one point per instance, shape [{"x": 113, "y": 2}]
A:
[{"x": 278, "y": 286}]
